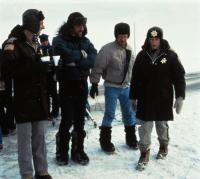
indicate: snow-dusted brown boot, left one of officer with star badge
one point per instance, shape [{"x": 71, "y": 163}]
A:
[{"x": 143, "y": 160}]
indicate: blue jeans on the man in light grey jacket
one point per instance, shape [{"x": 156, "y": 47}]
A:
[{"x": 111, "y": 96}]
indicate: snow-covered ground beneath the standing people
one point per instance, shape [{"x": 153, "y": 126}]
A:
[{"x": 182, "y": 162}]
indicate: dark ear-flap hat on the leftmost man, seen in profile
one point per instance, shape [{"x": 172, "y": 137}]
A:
[{"x": 31, "y": 20}]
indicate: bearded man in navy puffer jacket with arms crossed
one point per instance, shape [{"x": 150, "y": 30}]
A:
[{"x": 77, "y": 58}]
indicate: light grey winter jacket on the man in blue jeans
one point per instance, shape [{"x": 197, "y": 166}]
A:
[{"x": 114, "y": 64}]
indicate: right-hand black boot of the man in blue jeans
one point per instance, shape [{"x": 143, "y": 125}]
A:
[{"x": 131, "y": 139}]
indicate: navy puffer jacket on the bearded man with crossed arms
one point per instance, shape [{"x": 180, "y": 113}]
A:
[{"x": 73, "y": 66}]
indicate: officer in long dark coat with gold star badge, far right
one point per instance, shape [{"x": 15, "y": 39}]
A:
[{"x": 156, "y": 74}]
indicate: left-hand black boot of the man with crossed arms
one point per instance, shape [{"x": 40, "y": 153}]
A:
[{"x": 62, "y": 148}]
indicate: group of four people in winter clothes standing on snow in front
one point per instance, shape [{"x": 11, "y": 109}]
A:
[{"x": 152, "y": 76}]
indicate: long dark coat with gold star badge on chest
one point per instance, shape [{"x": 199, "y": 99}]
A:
[{"x": 152, "y": 83}]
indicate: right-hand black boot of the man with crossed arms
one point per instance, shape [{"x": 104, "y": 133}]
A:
[{"x": 77, "y": 152}]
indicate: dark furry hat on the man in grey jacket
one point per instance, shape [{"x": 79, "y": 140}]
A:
[{"x": 122, "y": 28}]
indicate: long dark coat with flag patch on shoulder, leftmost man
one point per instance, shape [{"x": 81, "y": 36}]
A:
[{"x": 23, "y": 64}]
